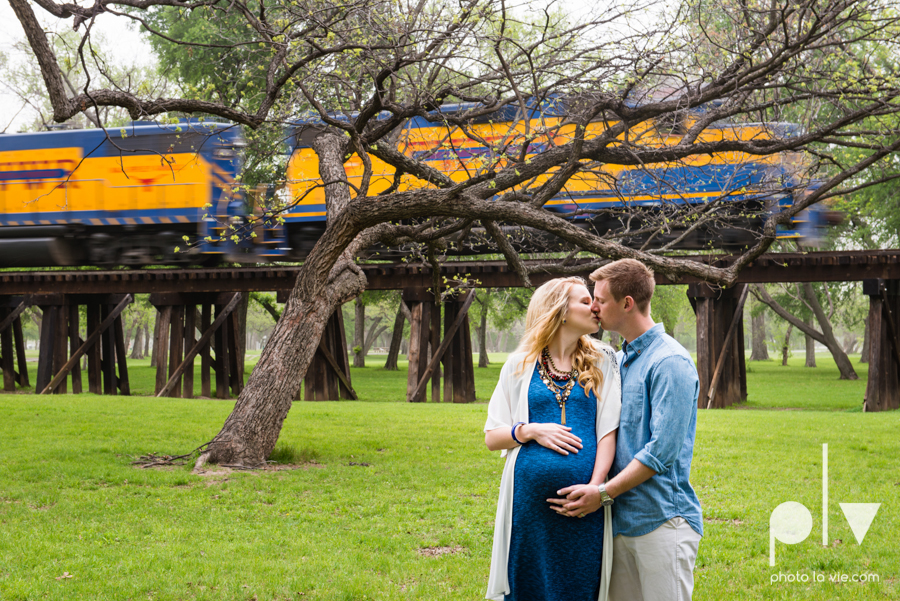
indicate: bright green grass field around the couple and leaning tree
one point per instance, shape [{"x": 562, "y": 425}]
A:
[{"x": 395, "y": 501}]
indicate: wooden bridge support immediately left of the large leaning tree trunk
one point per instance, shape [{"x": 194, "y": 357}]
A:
[{"x": 177, "y": 344}]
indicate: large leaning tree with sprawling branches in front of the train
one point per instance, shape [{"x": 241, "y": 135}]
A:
[{"x": 660, "y": 78}]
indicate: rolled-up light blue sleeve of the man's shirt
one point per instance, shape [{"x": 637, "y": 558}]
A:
[{"x": 673, "y": 393}]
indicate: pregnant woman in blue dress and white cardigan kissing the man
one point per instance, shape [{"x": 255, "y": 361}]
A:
[{"x": 554, "y": 416}]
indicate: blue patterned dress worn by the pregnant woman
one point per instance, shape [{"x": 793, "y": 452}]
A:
[{"x": 552, "y": 557}]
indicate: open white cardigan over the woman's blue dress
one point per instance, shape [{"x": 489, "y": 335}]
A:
[{"x": 509, "y": 405}]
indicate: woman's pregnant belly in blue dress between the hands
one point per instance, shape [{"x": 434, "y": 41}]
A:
[{"x": 540, "y": 472}]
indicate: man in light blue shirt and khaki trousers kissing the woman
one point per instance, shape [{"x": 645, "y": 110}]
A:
[{"x": 657, "y": 521}]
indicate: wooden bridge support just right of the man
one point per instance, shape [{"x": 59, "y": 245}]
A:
[{"x": 719, "y": 311}]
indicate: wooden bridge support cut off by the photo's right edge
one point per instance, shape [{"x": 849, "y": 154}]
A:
[{"x": 883, "y": 387}]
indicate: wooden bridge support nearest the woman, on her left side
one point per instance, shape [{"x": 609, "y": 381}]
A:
[{"x": 426, "y": 351}]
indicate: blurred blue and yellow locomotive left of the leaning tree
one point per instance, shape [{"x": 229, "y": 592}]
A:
[{"x": 125, "y": 196}]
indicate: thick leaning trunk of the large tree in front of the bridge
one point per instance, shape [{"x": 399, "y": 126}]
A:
[{"x": 329, "y": 277}]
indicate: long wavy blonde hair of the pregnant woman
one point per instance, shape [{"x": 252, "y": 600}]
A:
[{"x": 546, "y": 312}]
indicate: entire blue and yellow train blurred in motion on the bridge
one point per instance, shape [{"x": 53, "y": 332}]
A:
[{"x": 134, "y": 195}]
